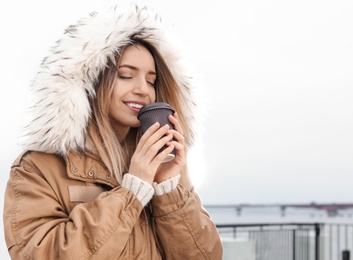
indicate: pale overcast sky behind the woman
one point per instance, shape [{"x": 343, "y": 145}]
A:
[{"x": 278, "y": 76}]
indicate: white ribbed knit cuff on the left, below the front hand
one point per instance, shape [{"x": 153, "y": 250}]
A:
[{"x": 142, "y": 189}]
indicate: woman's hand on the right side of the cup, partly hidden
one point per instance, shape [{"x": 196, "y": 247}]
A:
[{"x": 174, "y": 167}]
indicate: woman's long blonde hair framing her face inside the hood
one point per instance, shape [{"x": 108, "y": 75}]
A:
[{"x": 114, "y": 154}]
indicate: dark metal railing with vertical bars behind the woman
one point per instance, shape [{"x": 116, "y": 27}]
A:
[{"x": 295, "y": 241}]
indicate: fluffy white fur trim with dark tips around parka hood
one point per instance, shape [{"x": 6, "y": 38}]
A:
[{"x": 59, "y": 112}]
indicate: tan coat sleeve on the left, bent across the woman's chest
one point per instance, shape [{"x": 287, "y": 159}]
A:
[{"x": 37, "y": 225}]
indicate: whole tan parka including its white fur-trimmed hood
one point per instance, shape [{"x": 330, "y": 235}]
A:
[{"x": 61, "y": 202}]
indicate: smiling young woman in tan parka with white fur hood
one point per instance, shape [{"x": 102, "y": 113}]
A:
[{"x": 89, "y": 185}]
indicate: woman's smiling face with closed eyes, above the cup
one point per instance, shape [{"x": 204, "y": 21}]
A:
[{"x": 132, "y": 88}]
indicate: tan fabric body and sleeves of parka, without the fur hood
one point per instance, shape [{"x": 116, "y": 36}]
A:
[{"x": 53, "y": 210}]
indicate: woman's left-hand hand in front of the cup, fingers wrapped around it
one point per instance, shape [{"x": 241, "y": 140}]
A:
[{"x": 145, "y": 161}]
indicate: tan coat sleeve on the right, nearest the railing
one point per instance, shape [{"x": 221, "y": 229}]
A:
[{"x": 183, "y": 227}]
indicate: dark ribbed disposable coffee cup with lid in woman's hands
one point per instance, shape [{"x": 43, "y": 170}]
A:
[{"x": 156, "y": 112}]
